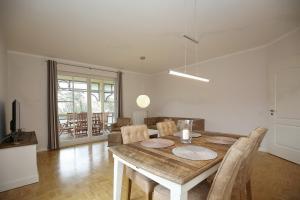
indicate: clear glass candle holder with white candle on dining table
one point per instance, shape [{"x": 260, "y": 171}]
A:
[{"x": 185, "y": 127}]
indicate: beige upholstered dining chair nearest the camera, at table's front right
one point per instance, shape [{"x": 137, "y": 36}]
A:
[{"x": 224, "y": 180}]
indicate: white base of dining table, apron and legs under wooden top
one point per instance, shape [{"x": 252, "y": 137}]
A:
[{"x": 178, "y": 191}]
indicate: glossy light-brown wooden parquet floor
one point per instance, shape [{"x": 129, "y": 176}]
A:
[{"x": 86, "y": 172}]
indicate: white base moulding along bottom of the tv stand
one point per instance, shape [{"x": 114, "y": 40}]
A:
[{"x": 19, "y": 183}]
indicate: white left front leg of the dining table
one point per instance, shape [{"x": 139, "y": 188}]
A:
[{"x": 118, "y": 175}]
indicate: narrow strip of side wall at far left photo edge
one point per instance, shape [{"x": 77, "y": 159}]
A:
[{"x": 2, "y": 81}]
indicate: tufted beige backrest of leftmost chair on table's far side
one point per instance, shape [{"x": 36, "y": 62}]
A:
[{"x": 134, "y": 133}]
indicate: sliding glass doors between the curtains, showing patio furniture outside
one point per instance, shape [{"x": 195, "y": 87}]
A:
[{"x": 86, "y": 107}]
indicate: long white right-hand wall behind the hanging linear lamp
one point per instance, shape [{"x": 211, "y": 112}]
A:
[{"x": 234, "y": 101}]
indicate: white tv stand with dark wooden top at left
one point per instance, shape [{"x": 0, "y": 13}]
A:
[{"x": 18, "y": 161}]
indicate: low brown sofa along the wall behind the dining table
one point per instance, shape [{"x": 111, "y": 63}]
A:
[{"x": 198, "y": 123}]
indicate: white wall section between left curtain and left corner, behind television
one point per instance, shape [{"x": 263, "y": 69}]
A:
[{"x": 27, "y": 82}]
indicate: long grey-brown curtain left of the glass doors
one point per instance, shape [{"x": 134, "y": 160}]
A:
[{"x": 53, "y": 141}]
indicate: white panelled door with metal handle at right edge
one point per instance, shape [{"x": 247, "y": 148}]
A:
[{"x": 285, "y": 114}]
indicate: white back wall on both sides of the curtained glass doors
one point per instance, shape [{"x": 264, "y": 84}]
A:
[{"x": 27, "y": 82}]
